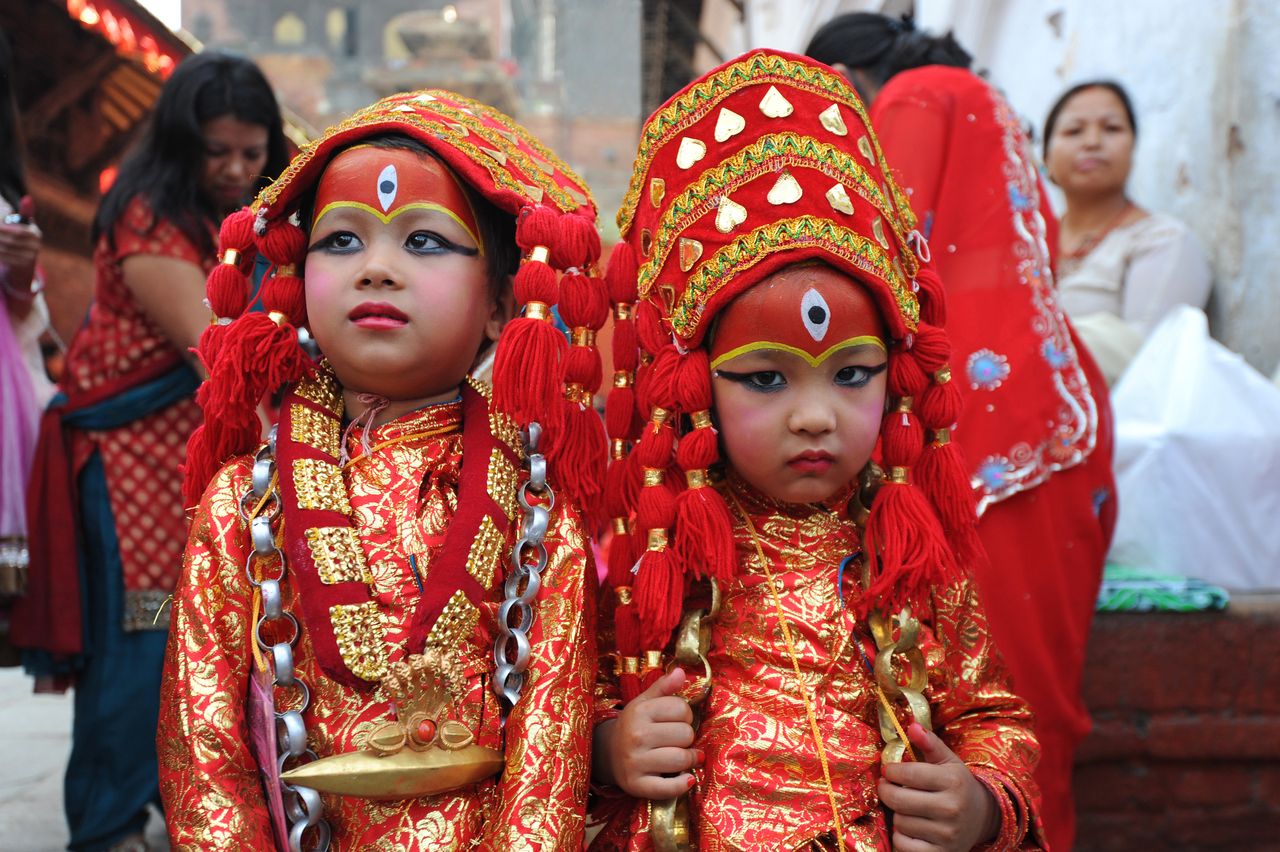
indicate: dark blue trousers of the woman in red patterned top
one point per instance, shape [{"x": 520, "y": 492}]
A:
[{"x": 112, "y": 775}]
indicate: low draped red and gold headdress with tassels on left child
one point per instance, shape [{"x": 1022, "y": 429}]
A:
[{"x": 538, "y": 375}]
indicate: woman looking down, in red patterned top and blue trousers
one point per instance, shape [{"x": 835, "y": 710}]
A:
[{"x": 113, "y": 443}]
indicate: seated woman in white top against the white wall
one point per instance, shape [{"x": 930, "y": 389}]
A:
[{"x": 1121, "y": 268}]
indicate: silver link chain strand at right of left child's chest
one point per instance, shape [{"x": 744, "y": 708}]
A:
[{"x": 511, "y": 651}]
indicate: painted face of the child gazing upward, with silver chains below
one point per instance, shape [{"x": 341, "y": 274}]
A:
[{"x": 397, "y": 283}]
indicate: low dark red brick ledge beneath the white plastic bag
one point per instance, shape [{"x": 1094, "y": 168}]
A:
[{"x": 1186, "y": 748}]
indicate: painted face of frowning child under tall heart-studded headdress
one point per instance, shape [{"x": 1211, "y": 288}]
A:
[{"x": 798, "y": 379}]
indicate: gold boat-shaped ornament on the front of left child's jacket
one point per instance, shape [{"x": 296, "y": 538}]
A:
[{"x": 420, "y": 753}]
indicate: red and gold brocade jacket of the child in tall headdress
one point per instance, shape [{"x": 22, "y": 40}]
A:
[{"x": 762, "y": 786}]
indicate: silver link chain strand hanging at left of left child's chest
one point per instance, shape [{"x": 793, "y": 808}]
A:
[{"x": 303, "y": 805}]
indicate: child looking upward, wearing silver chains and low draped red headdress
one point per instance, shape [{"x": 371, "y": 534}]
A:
[{"x": 381, "y": 636}]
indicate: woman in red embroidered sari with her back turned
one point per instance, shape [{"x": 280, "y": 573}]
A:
[{"x": 1036, "y": 427}]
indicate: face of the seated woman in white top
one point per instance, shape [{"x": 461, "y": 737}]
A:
[{"x": 1091, "y": 148}]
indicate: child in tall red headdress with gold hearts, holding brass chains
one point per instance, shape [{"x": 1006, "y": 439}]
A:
[{"x": 799, "y": 658}]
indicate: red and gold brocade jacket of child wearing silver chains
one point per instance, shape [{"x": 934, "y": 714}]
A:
[{"x": 404, "y": 496}]
